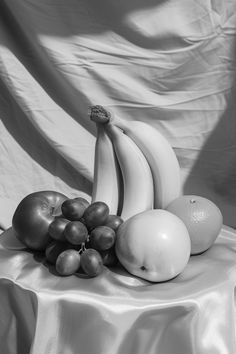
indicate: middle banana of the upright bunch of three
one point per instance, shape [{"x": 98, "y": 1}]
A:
[{"x": 137, "y": 177}]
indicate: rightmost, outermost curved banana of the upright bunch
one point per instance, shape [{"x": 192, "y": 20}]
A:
[{"x": 160, "y": 156}]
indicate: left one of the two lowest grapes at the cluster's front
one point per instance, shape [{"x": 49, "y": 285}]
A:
[{"x": 68, "y": 262}]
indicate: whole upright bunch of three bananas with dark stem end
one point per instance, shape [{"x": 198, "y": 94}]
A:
[{"x": 135, "y": 168}]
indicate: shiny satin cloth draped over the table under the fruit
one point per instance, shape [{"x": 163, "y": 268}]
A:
[{"x": 115, "y": 312}]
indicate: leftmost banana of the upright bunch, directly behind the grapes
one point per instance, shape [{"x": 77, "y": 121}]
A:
[{"x": 106, "y": 184}]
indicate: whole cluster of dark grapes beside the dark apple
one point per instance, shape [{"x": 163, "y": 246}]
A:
[{"x": 83, "y": 238}]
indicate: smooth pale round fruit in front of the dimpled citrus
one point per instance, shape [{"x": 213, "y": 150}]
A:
[{"x": 154, "y": 245}]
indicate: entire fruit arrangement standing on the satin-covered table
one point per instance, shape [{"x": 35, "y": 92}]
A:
[{"x": 137, "y": 214}]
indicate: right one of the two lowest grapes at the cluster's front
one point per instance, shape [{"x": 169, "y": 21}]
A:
[{"x": 91, "y": 262}]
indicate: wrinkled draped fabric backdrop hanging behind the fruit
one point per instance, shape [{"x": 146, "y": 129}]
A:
[{"x": 170, "y": 63}]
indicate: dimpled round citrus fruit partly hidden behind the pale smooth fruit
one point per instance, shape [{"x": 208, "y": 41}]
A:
[{"x": 202, "y": 218}]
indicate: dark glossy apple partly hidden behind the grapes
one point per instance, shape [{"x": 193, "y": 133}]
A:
[{"x": 33, "y": 216}]
